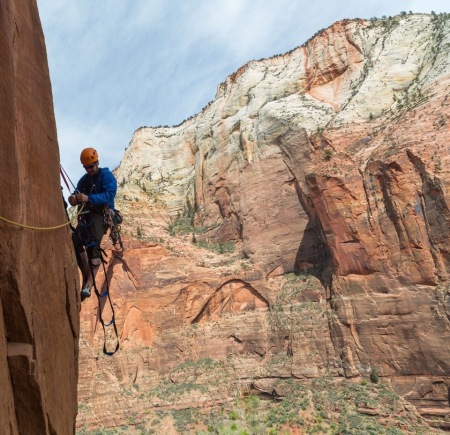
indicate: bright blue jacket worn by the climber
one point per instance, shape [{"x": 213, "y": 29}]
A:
[{"x": 100, "y": 188}]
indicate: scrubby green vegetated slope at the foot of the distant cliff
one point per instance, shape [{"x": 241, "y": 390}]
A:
[{"x": 324, "y": 405}]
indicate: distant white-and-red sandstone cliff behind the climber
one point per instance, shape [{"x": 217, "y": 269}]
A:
[{"x": 331, "y": 159}]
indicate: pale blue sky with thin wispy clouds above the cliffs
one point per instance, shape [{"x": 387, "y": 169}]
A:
[{"x": 117, "y": 65}]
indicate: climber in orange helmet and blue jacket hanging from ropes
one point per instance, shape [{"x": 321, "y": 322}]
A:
[{"x": 96, "y": 190}]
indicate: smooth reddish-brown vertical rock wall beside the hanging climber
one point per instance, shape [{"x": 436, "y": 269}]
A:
[{"x": 38, "y": 278}]
